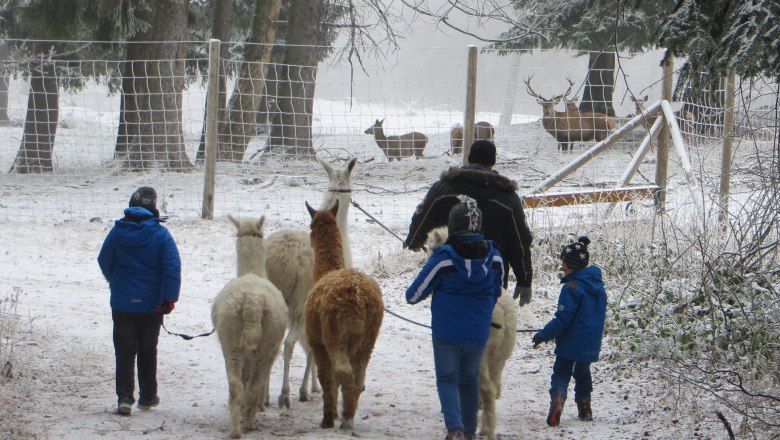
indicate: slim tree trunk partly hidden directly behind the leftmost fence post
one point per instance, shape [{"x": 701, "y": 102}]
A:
[{"x": 221, "y": 30}]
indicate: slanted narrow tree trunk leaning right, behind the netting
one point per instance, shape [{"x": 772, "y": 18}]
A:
[{"x": 237, "y": 129}]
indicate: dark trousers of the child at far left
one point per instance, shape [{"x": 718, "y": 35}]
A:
[{"x": 135, "y": 336}]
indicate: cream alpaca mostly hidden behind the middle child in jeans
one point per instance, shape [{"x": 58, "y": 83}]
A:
[{"x": 503, "y": 333}]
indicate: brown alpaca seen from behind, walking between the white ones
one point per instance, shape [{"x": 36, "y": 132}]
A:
[{"x": 343, "y": 314}]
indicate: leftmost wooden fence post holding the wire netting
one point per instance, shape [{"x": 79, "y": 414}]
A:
[{"x": 212, "y": 110}]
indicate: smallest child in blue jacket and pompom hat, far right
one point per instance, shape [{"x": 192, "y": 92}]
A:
[{"x": 577, "y": 328}]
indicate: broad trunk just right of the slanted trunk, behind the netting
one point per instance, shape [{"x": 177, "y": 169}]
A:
[{"x": 291, "y": 129}]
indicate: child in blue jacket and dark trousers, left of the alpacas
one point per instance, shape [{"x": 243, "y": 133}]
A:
[{"x": 141, "y": 263}]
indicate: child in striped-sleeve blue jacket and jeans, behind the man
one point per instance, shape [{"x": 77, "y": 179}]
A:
[{"x": 464, "y": 277}]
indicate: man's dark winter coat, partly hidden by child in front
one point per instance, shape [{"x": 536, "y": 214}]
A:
[{"x": 503, "y": 219}]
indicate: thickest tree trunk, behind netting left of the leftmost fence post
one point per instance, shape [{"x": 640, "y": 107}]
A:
[{"x": 150, "y": 134}]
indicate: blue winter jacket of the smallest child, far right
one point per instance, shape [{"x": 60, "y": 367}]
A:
[{"x": 578, "y": 324}]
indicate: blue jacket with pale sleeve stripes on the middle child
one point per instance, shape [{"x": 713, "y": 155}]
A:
[{"x": 464, "y": 290}]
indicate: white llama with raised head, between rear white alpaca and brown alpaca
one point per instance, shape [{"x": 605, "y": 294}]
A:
[{"x": 290, "y": 266}]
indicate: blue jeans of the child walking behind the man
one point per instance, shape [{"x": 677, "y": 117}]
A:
[{"x": 457, "y": 380}]
